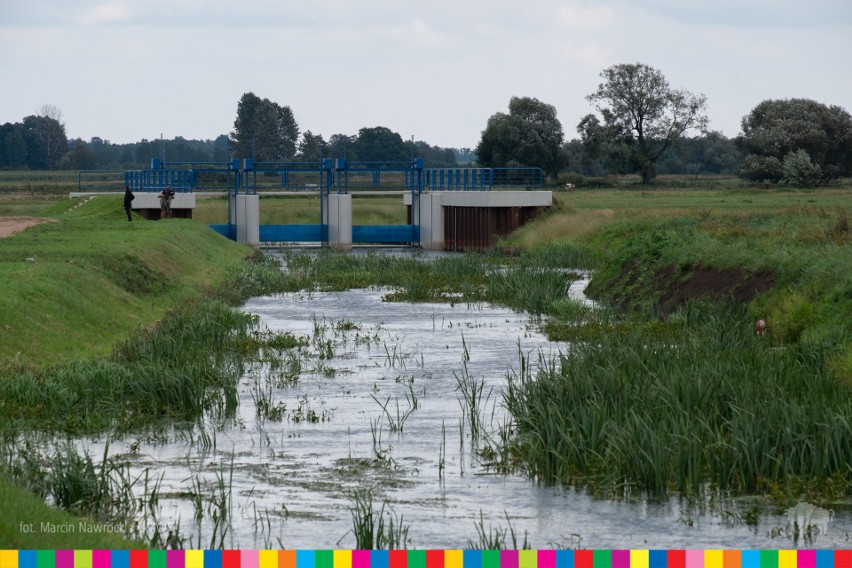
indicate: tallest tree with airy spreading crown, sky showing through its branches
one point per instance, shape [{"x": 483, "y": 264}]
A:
[{"x": 642, "y": 117}]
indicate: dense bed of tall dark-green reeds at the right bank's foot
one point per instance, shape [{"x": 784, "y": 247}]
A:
[{"x": 703, "y": 401}]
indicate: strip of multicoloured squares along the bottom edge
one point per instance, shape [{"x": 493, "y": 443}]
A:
[{"x": 425, "y": 558}]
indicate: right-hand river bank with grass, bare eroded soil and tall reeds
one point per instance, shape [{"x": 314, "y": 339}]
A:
[{"x": 673, "y": 390}]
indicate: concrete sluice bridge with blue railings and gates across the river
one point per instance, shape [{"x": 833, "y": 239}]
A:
[{"x": 447, "y": 208}]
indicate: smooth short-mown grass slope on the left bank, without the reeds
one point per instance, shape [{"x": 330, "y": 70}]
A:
[{"x": 76, "y": 287}]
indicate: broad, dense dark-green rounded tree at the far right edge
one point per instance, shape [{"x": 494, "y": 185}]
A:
[{"x": 775, "y": 128}]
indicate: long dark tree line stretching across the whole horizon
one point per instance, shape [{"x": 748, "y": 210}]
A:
[{"x": 640, "y": 125}]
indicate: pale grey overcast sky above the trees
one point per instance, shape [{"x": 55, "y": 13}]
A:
[{"x": 131, "y": 69}]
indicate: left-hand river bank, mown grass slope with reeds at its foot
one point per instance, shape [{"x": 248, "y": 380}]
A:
[{"x": 73, "y": 290}]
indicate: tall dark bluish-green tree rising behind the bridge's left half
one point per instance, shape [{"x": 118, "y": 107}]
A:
[{"x": 264, "y": 130}]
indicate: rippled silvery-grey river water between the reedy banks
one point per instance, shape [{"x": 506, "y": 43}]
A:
[{"x": 374, "y": 402}]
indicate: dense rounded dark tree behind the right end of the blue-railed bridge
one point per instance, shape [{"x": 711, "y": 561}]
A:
[{"x": 529, "y": 136}]
